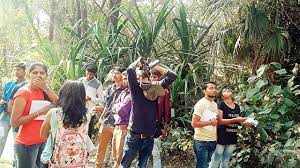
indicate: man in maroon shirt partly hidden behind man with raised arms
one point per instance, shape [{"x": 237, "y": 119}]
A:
[{"x": 163, "y": 118}]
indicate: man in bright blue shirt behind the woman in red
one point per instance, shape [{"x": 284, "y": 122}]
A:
[{"x": 8, "y": 88}]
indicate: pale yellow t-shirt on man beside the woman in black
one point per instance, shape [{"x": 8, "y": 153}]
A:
[{"x": 206, "y": 110}]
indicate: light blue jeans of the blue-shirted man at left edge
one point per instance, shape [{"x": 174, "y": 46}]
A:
[{"x": 4, "y": 130}]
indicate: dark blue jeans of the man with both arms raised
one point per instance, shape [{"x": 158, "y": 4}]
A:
[{"x": 136, "y": 145}]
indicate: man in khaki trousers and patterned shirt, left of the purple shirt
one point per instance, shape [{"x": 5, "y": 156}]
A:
[{"x": 107, "y": 120}]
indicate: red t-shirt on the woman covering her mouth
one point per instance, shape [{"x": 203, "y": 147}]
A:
[{"x": 29, "y": 133}]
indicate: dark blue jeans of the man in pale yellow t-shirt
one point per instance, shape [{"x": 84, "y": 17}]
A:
[{"x": 203, "y": 151}]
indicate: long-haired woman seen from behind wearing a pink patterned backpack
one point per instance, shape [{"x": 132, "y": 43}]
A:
[{"x": 67, "y": 126}]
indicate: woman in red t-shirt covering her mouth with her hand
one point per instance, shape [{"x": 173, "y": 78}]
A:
[{"x": 28, "y": 143}]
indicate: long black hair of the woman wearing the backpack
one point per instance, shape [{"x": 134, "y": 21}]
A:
[{"x": 72, "y": 100}]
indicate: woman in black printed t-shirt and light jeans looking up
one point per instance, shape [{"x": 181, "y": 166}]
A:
[{"x": 228, "y": 120}]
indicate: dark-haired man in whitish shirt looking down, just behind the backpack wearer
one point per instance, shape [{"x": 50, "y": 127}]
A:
[{"x": 94, "y": 93}]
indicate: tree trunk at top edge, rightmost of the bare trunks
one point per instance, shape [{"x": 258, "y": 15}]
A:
[{"x": 113, "y": 18}]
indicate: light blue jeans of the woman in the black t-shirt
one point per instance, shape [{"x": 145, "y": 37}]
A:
[{"x": 222, "y": 154}]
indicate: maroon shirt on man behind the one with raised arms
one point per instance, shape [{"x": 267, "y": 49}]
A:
[{"x": 164, "y": 109}]
